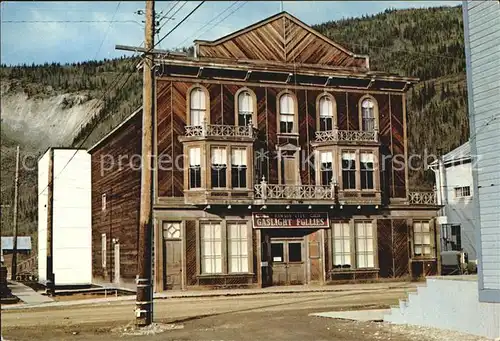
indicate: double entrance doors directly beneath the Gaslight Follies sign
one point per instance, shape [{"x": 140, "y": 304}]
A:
[{"x": 288, "y": 266}]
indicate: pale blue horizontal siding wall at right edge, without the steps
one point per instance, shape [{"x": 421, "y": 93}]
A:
[{"x": 482, "y": 34}]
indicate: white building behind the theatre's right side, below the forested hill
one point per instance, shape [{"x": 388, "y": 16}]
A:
[{"x": 455, "y": 192}]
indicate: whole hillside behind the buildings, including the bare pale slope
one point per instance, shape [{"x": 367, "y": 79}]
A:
[{"x": 55, "y": 104}]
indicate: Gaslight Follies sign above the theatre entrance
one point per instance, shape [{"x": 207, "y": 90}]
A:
[{"x": 290, "y": 220}]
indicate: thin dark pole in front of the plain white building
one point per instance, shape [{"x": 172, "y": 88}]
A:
[{"x": 50, "y": 200}]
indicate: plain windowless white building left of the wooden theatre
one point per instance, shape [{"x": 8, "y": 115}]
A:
[{"x": 71, "y": 216}]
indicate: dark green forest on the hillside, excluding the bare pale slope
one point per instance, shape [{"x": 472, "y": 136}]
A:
[{"x": 424, "y": 43}]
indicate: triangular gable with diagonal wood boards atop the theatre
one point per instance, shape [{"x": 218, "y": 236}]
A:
[{"x": 281, "y": 38}]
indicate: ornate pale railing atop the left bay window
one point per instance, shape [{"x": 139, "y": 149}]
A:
[{"x": 219, "y": 132}]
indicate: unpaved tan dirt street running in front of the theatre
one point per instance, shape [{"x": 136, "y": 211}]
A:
[{"x": 257, "y": 317}]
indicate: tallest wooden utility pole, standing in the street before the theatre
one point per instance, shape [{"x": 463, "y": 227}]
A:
[{"x": 144, "y": 301}]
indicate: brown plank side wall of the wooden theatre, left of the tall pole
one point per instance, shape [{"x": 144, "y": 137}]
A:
[{"x": 120, "y": 181}]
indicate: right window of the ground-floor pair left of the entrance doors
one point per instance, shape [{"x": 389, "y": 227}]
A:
[{"x": 238, "y": 247}]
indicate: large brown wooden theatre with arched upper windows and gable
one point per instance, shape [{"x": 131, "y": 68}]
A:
[{"x": 281, "y": 159}]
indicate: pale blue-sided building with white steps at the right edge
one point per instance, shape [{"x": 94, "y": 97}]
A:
[{"x": 471, "y": 304}]
